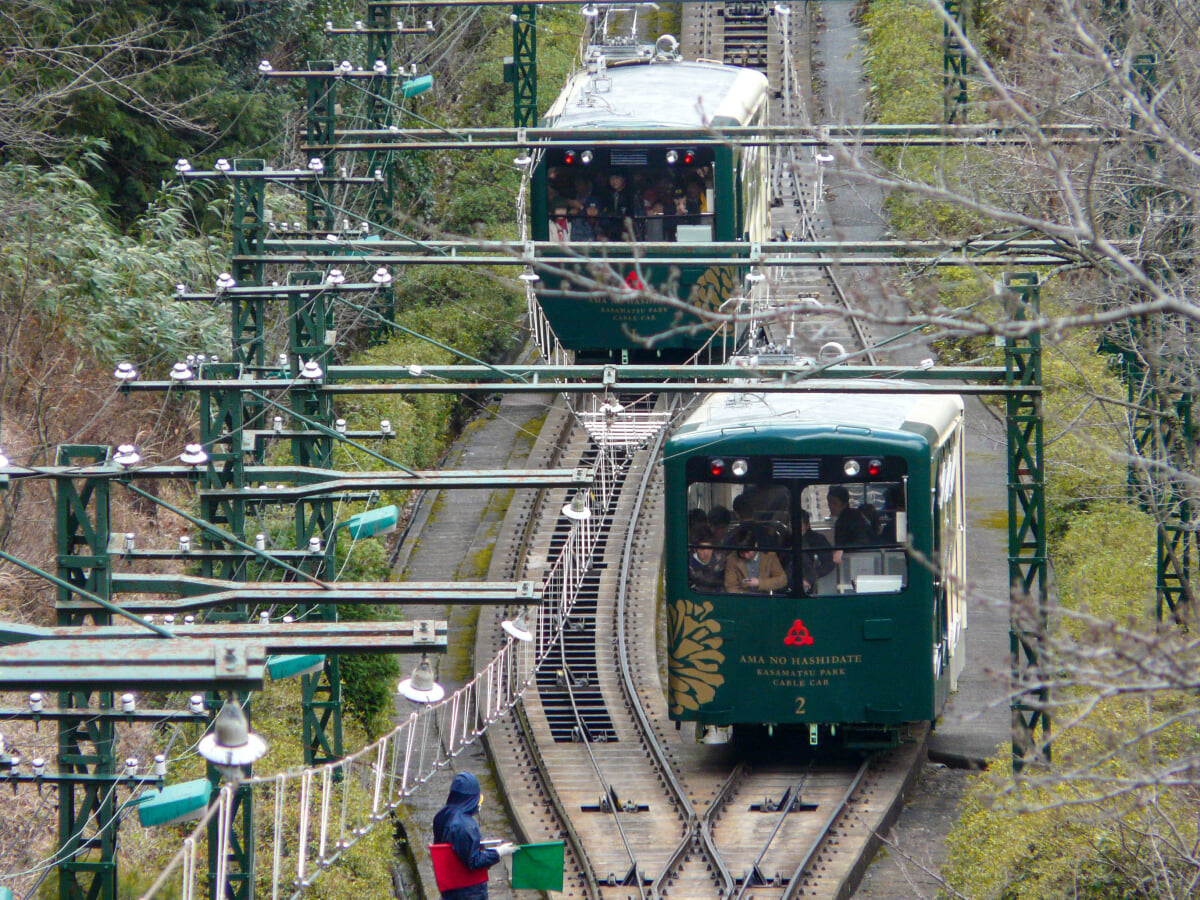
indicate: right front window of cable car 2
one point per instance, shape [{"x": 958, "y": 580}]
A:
[{"x": 854, "y": 538}]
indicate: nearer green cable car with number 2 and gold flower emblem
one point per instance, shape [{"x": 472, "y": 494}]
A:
[{"x": 815, "y": 562}]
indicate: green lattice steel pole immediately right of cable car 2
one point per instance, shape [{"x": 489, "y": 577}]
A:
[{"x": 1028, "y": 566}]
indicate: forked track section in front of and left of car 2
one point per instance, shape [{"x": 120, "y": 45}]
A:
[{"x": 646, "y": 811}]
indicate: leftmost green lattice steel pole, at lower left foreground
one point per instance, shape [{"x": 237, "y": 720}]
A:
[{"x": 88, "y": 823}]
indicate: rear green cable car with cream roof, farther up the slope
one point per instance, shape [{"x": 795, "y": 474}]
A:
[{"x": 609, "y": 302}]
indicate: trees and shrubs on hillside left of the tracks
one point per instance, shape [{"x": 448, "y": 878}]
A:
[{"x": 98, "y": 101}]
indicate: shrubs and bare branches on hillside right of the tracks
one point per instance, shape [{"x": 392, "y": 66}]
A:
[{"x": 1115, "y": 813}]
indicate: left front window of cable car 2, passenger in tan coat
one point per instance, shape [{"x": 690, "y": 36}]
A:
[{"x": 740, "y": 538}]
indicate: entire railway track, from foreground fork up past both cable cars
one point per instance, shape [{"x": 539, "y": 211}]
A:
[{"x": 593, "y": 760}]
